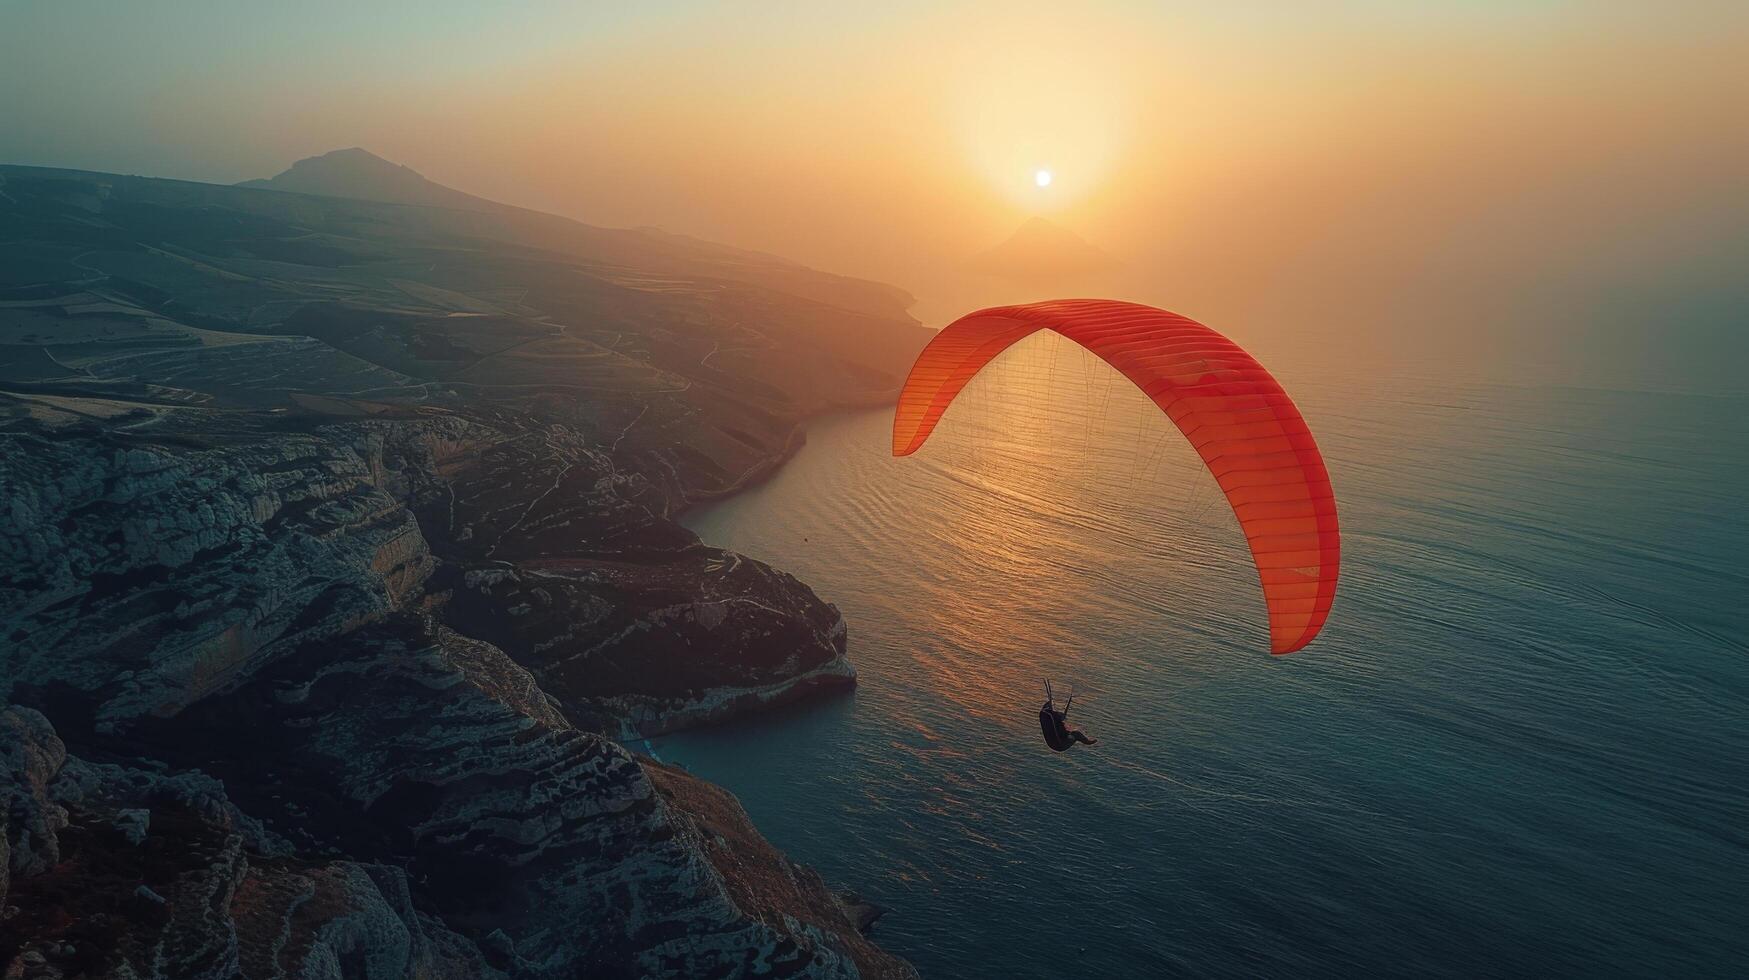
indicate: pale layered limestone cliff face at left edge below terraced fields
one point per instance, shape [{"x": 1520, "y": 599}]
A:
[{"x": 148, "y": 578}]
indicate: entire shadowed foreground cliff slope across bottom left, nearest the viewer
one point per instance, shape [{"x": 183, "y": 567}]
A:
[{"x": 457, "y": 797}]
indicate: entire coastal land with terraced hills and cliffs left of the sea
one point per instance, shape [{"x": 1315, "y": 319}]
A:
[{"x": 337, "y": 549}]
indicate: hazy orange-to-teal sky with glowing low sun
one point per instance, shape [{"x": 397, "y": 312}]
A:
[{"x": 1526, "y": 172}]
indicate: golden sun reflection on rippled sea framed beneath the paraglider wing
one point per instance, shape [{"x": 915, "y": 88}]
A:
[{"x": 1054, "y": 480}]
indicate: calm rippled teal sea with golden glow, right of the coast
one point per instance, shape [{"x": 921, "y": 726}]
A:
[{"x": 1521, "y": 746}]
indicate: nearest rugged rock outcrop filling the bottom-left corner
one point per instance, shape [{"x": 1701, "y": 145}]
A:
[{"x": 158, "y": 874}]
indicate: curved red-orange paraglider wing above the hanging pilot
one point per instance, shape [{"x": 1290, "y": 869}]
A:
[{"x": 1237, "y": 417}]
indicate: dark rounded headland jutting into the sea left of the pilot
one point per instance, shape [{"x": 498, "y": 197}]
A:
[{"x": 648, "y": 648}]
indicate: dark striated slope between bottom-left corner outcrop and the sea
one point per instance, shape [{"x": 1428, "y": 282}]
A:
[{"x": 550, "y": 839}]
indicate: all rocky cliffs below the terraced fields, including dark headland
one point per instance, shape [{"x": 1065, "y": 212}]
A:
[{"x": 331, "y": 764}]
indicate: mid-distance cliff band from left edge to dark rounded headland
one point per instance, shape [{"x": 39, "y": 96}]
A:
[{"x": 141, "y": 575}]
